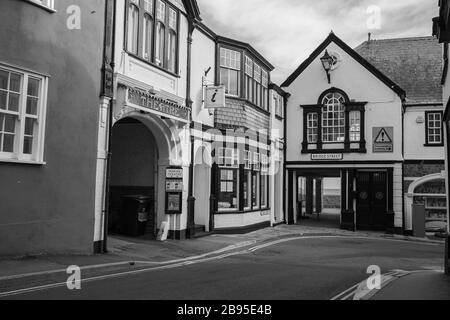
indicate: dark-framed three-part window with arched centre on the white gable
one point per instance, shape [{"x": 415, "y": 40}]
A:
[{"x": 336, "y": 123}]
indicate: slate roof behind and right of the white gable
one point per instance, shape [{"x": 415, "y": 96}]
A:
[{"x": 414, "y": 63}]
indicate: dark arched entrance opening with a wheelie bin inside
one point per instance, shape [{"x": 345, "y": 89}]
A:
[{"x": 133, "y": 180}]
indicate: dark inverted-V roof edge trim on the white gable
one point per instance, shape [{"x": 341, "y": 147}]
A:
[{"x": 333, "y": 38}]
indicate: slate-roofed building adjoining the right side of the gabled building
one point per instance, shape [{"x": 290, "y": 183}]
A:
[{"x": 416, "y": 65}]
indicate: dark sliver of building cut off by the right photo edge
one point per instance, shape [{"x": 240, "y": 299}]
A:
[{"x": 441, "y": 29}]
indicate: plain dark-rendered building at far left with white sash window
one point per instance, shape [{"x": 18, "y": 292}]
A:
[{"x": 50, "y": 92}]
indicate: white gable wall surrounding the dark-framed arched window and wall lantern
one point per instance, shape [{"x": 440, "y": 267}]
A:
[{"x": 384, "y": 108}]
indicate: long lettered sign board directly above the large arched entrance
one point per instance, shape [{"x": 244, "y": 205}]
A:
[{"x": 150, "y": 102}]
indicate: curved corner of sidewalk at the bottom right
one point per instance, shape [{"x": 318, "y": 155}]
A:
[{"x": 424, "y": 285}]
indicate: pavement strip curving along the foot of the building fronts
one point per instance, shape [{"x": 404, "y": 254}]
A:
[{"x": 133, "y": 255}]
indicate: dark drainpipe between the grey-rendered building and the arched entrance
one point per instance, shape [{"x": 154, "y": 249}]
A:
[{"x": 108, "y": 89}]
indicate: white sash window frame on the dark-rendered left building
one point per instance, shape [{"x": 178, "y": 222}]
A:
[{"x": 18, "y": 155}]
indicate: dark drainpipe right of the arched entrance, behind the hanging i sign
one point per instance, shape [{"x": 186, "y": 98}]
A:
[{"x": 191, "y": 199}]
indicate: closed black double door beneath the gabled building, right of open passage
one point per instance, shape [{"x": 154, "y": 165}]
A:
[{"x": 371, "y": 205}]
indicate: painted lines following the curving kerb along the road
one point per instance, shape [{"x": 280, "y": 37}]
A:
[{"x": 195, "y": 260}]
